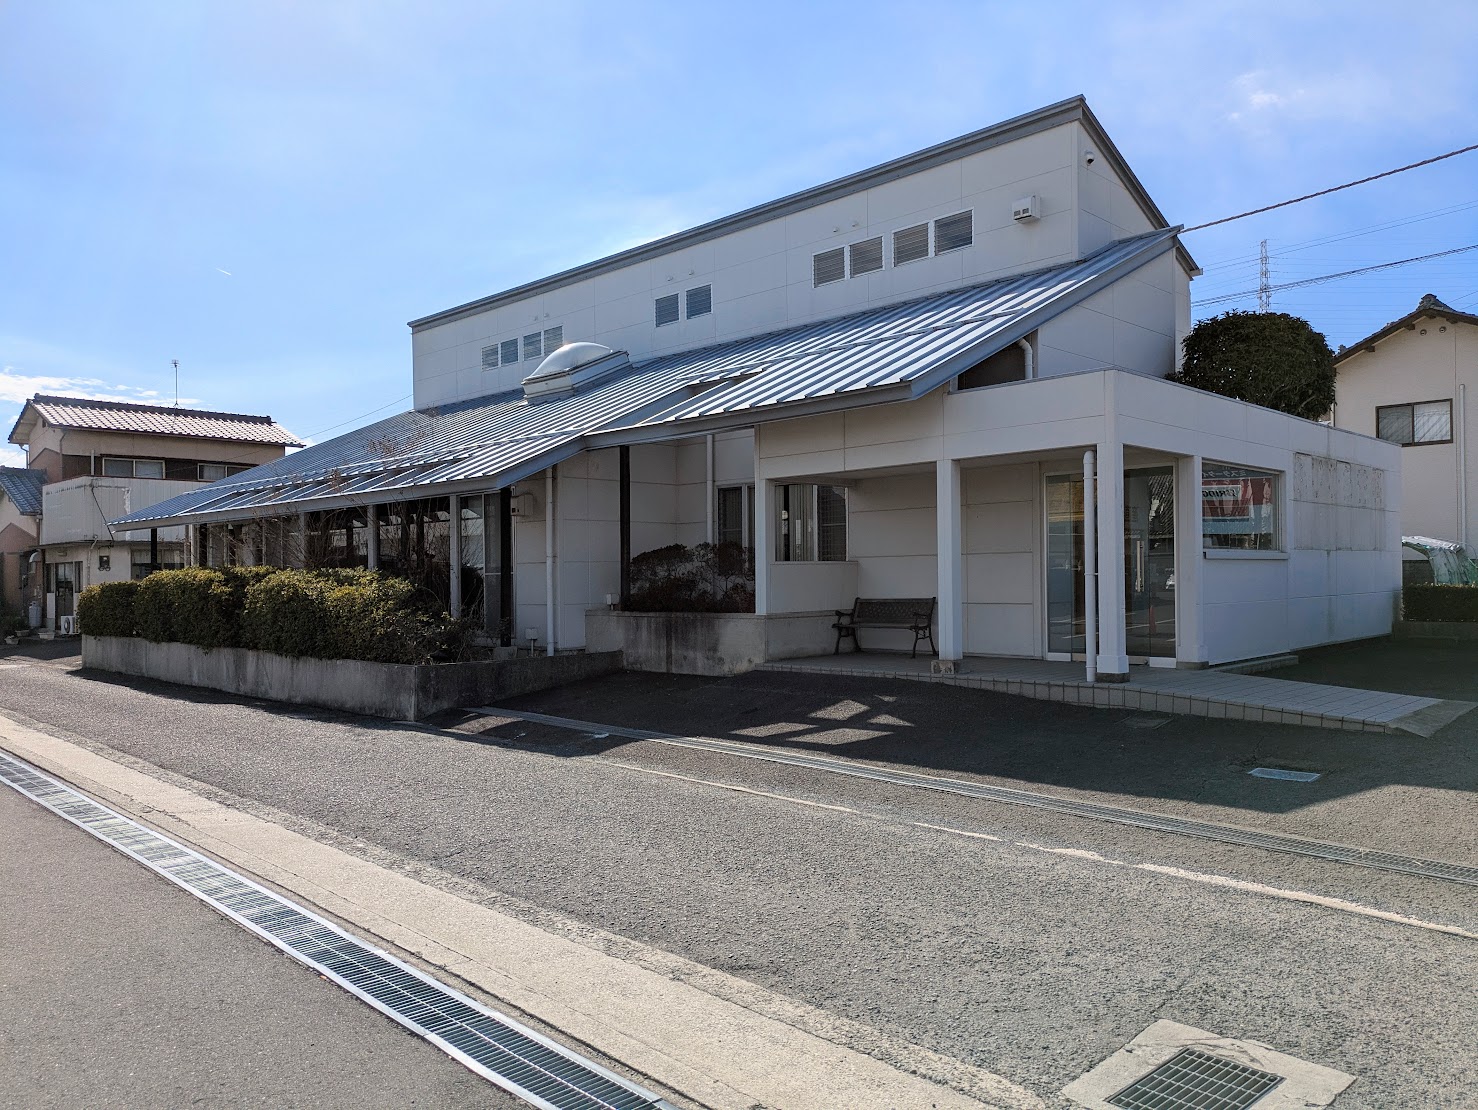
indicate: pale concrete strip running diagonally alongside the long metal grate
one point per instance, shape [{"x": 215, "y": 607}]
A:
[{"x": 703, "y": 1047}]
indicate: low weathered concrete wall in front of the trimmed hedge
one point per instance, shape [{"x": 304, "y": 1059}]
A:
[{"x": 397, "y": 691}]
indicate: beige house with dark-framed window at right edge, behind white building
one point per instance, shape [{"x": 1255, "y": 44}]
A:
[{"x": 1409, "y": 384}]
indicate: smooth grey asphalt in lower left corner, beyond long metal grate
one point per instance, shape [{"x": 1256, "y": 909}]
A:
[{"x": 123, "y": 991}]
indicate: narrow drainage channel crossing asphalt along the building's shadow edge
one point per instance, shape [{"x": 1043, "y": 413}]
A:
[{"x": 1140, "y": 820}]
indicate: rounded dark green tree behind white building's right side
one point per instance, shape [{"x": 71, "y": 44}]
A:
[{"x": 1269, "y": 358}]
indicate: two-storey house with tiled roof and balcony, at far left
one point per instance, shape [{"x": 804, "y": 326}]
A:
[{"x": 106, "y": 459}]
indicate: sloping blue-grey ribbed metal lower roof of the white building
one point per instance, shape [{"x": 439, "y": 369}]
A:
[{"x": 505, "y": 438}]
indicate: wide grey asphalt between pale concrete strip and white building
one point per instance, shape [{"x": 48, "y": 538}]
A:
[{"x": 1032, "y": 948}]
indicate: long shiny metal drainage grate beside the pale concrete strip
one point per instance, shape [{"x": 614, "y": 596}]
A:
[{"x": 493, "y": 1046}]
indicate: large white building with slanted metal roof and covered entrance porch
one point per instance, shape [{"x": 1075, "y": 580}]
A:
[{"x": 890, "y": 387}]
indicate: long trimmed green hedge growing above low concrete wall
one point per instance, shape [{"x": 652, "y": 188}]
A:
[{"x": 317, "y": 614}]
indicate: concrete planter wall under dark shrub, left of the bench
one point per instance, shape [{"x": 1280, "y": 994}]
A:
[{"x": 707, "y": 644}]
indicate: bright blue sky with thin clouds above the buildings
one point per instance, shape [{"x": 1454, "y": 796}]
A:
[{"x": 268, "y": 191}]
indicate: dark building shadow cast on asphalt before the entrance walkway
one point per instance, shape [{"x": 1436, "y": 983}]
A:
[{"x": 1018, "y": 741}]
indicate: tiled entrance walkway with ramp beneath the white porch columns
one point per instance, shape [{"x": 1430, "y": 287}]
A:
[{"x": 1196, "y": 694}]
